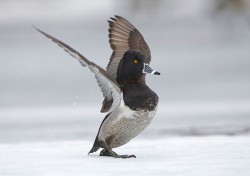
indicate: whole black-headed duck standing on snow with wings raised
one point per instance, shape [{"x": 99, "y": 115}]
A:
[{"x": 129, "y": 104}]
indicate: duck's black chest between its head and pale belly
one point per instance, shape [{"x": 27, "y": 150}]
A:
[{"x": 139, "y": 96}]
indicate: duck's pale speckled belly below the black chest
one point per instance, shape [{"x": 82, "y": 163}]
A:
[{"x": 123, "y": 124}]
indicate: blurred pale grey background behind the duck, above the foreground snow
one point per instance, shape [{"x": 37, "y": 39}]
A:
[{"x": 201, "y": 48}]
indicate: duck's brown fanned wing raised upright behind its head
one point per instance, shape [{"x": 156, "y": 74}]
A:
[{"x": 124, "y": 36}]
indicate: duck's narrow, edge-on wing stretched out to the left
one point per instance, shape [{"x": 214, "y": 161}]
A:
[{"x": 108, "y": 85}]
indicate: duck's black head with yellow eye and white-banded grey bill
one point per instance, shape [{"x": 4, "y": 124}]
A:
[{"x": 132, "y": 67}]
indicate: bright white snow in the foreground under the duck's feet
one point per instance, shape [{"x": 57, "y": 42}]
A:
[{"x": 213, "y": 155}]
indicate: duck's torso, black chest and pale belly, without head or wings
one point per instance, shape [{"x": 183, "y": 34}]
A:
[{"x": 131, "y": 117}]
